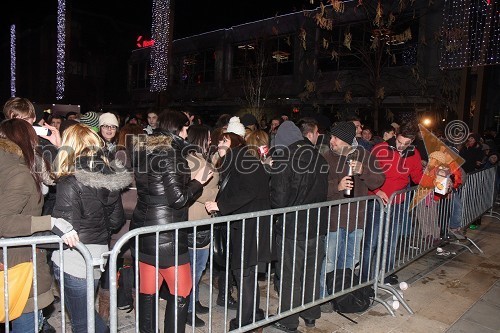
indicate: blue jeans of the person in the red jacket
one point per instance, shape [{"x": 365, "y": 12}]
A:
[{"x": 399, "y": 217}]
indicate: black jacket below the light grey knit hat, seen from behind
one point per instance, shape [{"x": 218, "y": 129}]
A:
[{"x": 300, "y": 176}]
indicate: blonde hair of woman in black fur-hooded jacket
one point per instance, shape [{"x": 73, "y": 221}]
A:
[{"x": 77, "y": 140}]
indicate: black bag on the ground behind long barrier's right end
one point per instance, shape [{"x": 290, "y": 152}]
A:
[{"x": 357, "y": 300}]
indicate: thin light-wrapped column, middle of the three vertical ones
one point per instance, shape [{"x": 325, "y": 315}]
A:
[{"x": 61, "y": 48}]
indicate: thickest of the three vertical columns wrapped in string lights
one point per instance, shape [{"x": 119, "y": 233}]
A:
[{"x": 161, "y": 32}]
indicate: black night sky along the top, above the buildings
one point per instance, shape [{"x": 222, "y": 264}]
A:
[{"x": 191, "y": 16}]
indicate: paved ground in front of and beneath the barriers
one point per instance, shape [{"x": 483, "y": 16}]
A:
[{"x": 455, "y": 293}]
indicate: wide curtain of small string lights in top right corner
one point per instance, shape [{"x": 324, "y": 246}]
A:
[{"x": 470, "y": 34}]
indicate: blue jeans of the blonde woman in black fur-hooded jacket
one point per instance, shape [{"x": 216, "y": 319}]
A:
[{"x": 75, "y": 300}]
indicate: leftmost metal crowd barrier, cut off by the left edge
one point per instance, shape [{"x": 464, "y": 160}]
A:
[{"x": 33, "y": 242}]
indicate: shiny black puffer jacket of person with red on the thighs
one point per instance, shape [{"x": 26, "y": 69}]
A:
[{"x": 164, "y": 192}]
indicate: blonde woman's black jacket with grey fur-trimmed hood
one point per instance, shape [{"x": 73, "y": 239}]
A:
[{"x": 90, "y": 200}]
